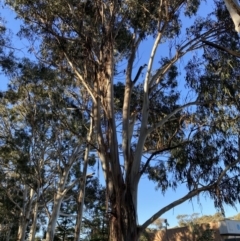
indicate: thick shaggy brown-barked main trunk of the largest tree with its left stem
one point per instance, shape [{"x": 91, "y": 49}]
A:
[{"x": 123, "y": 223}]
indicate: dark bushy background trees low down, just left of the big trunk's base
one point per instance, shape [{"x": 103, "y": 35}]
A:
[{"x": 94, "y": 217}]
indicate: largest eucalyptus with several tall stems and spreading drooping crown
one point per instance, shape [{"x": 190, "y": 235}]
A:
[{"x": 197, "y": 132}]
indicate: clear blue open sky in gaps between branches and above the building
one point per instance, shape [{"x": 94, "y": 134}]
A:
[{"x": 150, "y": 200}]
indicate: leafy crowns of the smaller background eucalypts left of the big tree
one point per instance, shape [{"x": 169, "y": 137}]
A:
[{"x": 39, "y": 133}]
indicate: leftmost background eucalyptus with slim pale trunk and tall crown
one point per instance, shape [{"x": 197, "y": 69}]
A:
[{"x": 24, "y": 142}]
